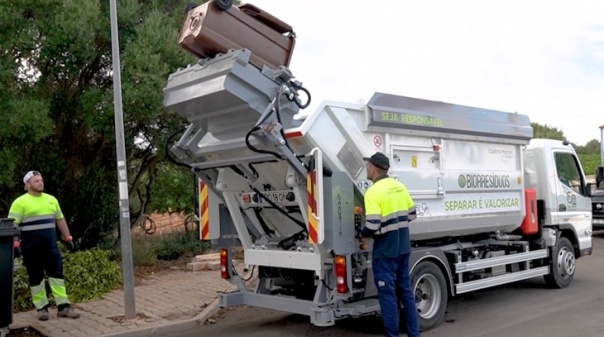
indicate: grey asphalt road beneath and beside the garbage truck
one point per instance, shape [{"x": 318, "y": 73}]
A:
[{"x": 523, "y": 309}]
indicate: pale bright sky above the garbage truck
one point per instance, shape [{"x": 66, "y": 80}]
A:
[{"x": 541, "y": 58}]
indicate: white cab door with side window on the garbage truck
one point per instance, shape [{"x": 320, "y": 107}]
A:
[{"x": 573, "y": 202}]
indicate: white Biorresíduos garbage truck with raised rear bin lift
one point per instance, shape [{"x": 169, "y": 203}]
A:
[{"x": 494, "y": 205}]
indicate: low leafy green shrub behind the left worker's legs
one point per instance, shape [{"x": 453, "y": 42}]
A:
[{"x": 88, "y": 275}]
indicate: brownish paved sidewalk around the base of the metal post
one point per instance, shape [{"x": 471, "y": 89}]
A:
[{"x": 173, "y": 299}]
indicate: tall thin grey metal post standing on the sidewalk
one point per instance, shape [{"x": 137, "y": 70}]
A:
[{"x": 122, "y": 177}]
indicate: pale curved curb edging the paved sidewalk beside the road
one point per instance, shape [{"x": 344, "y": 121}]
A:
[{"x": 161, "y": 330}]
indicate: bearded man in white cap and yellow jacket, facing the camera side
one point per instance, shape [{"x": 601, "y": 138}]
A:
[{"x": 38, "y": 214}]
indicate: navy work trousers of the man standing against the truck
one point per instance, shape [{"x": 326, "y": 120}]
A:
[{"x": 391, "y": 276}]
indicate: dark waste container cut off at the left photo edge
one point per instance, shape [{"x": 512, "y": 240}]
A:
[{"x": 7, "y": 234}]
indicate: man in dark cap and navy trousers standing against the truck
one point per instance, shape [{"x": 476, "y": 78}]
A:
[{"x": 388, "y": 211}]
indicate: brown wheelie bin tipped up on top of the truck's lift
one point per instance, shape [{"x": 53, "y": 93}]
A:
[{"x": 213, "y": 28}]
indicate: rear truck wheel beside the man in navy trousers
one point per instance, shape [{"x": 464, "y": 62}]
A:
[{"x": 431, "y": 295}]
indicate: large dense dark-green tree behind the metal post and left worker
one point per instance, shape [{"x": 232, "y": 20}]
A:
[{"x": 56, "y": 101}]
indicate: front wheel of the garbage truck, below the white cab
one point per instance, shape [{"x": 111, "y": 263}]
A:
[{"x": 563, "y": 265}]
